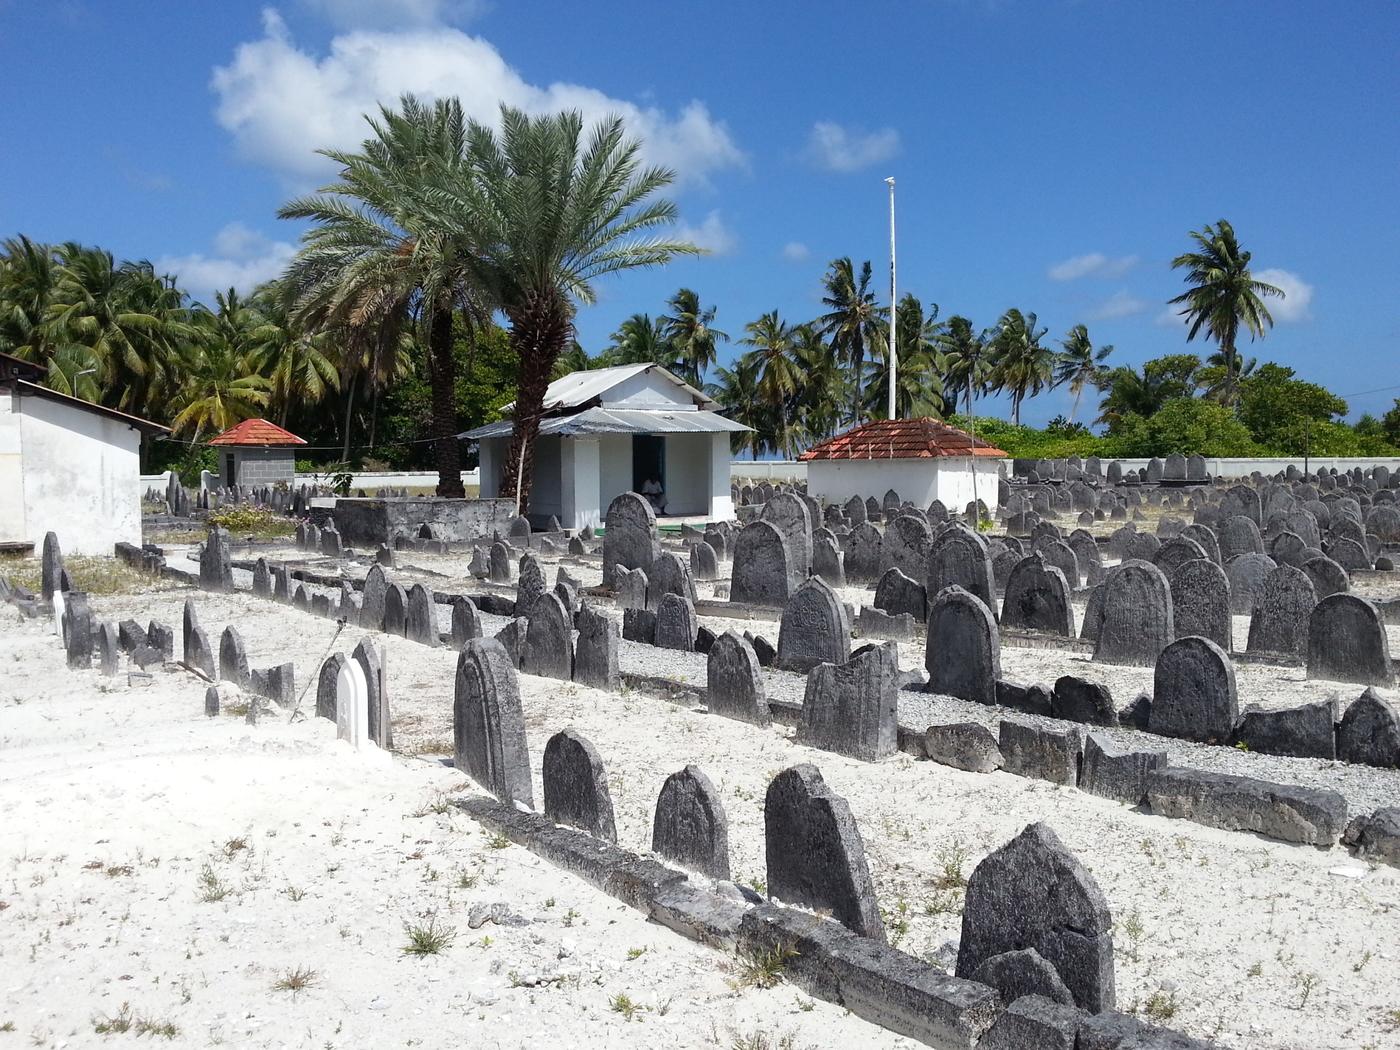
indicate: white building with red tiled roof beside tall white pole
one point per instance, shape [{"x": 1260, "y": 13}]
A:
[{"x": 923, "y": 460}]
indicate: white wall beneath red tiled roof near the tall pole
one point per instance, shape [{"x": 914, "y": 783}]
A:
[{"x": 918, "y": 481}]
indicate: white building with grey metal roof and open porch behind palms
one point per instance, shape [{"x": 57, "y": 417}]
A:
[{"x": 608, "y": 430}]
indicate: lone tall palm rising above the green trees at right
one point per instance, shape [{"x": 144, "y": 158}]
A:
[{"x": 1223, "y": 296}]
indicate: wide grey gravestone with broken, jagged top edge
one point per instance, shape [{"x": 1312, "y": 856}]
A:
[{"x": 850, "y": 708}]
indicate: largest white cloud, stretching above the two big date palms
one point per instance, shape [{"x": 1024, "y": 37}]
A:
[{"x": 282, "y": 103}]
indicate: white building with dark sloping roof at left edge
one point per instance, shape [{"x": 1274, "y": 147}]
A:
[{"x": 66, "y": 467}]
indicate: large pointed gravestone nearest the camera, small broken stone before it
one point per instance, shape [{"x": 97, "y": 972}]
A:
[{"x": 1035, "y": 894}]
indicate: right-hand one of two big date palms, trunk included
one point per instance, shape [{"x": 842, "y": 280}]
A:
[{"x": 551, "y": 215}]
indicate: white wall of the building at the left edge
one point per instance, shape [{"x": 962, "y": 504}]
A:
[{"x": 82, "y": 477}]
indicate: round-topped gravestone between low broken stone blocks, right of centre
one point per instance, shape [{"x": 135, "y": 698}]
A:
[{"x": 1193, "y": 692}]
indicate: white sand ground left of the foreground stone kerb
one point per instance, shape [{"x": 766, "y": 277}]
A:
[{"x": 122, "y": 807}]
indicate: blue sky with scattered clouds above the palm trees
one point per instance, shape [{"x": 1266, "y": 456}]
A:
[{"x": 1051, "y": 155}]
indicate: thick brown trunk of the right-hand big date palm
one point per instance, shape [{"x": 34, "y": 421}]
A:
[{"x": 541, "y": 330}]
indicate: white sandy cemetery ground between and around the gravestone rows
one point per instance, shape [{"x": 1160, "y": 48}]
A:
[{"x": 1224, "y": 936}]
